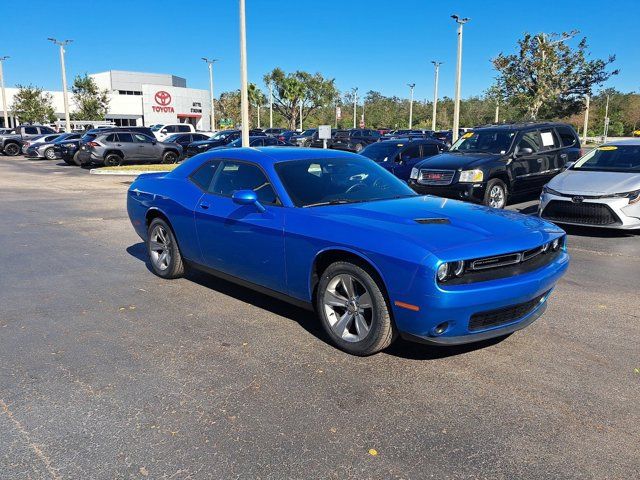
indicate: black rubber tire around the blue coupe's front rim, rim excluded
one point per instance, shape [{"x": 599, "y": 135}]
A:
[{"x": 382, "y": 330}]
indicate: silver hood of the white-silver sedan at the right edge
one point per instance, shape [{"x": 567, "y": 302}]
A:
[{"x": 595, "y": 183}]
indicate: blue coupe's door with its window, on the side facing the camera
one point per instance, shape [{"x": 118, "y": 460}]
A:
[{"x": 240, "y": 240}]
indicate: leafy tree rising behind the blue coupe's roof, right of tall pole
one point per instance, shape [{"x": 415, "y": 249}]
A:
[{"x": 313, "y": 91}]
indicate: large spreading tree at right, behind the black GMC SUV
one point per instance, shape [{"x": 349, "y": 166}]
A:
[{"x": 547, "y": 78}]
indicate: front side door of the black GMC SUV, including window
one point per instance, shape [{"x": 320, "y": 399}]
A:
[{"x": 526, "y": 161}]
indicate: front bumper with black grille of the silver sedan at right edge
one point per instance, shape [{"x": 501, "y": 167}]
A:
[{"x": 617, "y": 213}]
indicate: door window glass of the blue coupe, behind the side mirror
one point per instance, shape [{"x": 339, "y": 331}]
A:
[{"x": 236, "y": 176}]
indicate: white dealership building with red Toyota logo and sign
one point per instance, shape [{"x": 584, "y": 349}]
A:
[{"x": 141, "y": 99}]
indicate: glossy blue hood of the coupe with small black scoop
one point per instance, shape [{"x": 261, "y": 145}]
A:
[{"x": 461, "y": 230}]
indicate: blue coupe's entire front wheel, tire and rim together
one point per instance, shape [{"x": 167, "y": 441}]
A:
[{"x": 353, "y": 309}]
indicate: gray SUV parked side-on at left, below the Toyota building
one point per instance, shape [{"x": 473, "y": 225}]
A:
[{"x": 116, "y": 148}]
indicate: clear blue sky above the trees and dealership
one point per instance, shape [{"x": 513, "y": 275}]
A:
[{"x": 374, "y": 45}]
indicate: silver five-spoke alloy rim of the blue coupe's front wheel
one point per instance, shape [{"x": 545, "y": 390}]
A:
[{"x": 348, "y": 307}]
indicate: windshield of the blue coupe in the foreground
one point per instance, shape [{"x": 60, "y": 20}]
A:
[{"x": 327, "y": 181}]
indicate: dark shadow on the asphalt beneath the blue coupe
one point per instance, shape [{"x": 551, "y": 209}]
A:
[{"x": 308, "y": 319}]
